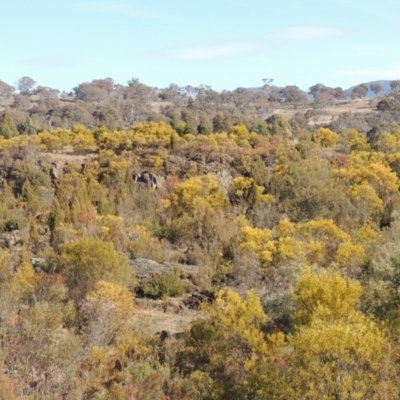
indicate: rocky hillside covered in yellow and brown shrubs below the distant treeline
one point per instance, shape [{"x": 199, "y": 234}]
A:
[{"x": 148, "y": 263}]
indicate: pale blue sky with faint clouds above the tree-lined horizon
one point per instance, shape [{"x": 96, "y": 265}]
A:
[{"x": 222, "y": 43}]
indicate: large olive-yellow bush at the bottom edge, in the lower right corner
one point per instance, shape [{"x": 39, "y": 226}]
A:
[{"x": 343, "y": 358}]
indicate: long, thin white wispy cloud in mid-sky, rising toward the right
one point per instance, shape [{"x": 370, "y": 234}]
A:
[{"x": 221, "y": 51}]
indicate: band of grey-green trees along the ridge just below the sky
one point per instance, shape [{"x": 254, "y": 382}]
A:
[{"x": 34, "y": 108}]
